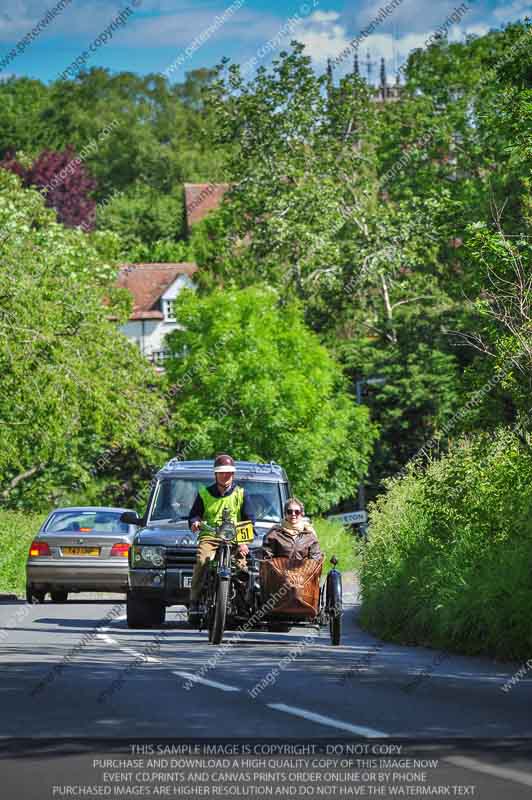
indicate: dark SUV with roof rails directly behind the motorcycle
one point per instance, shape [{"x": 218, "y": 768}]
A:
[{"x": 163, "y": 553}]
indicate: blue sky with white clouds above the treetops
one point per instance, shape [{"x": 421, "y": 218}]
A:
[{"x": 176, "y": 36}]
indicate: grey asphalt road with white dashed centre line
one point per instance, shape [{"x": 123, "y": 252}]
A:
[{"x": 75, "y": 670}]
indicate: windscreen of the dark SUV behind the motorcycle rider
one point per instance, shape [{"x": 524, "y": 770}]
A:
[{"x": 174, "y": 498}]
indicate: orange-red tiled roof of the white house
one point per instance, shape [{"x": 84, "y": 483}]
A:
[{"x": 147, "y": 282}]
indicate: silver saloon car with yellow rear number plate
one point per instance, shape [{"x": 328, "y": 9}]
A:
[{"x": 78, "y": 550}]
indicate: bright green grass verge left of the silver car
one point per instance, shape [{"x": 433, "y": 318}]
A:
[{"x": 17, "y": 531}]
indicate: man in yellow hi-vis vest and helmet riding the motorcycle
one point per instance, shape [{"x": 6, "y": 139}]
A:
[{"x": 208, "y": 507}]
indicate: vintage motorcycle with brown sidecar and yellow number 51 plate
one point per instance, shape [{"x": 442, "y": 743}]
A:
[{"x": 275, "y": 594}]
